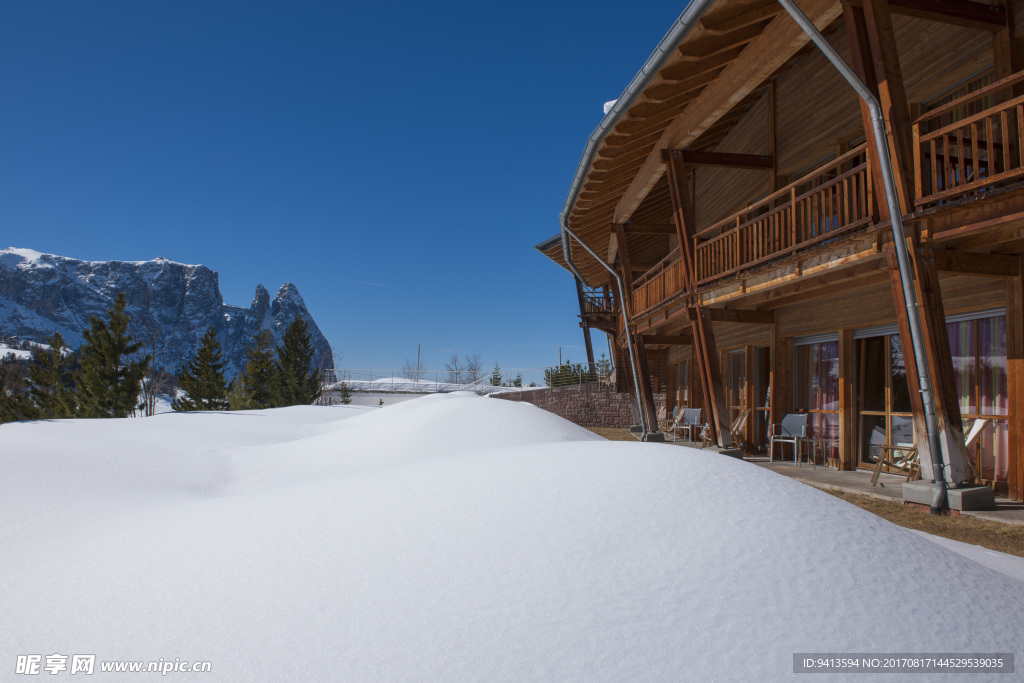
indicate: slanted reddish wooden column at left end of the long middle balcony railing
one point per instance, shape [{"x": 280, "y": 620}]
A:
[{"x": 705, "y": 350}]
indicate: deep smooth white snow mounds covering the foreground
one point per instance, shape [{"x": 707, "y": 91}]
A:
[{"x": 456, "y": 538}]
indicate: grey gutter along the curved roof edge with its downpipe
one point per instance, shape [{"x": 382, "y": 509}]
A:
[{"x": 691, "y": 17}]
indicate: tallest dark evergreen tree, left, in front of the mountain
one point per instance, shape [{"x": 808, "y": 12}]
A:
[{"x": 109, "y": 383}]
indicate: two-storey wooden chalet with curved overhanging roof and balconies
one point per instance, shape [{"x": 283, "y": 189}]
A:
[{"x": 738, "y": 193}]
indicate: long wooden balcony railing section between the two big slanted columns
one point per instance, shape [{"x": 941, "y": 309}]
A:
[{"x": 835, "y": 199}]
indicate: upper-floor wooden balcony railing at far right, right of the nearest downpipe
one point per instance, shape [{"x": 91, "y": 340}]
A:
[{"x": 970, "y": 144}]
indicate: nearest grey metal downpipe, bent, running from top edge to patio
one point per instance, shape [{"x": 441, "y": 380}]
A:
[{"x": 900, "y": 239}]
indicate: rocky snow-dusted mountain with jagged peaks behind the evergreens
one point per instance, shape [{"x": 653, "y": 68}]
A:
[{"x": 172, "y": 306}]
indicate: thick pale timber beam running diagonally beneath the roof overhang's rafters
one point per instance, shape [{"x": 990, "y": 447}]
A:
[{"x": 778, "y": 44}]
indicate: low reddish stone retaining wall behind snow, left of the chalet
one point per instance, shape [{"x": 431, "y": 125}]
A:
[{"x": 587, "y": 406}]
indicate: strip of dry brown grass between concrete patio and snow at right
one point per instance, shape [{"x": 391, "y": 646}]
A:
[{"x": 995, "y": 536}]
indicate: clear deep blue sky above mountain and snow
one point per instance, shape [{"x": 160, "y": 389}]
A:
[{"x": 397, "y": 161}]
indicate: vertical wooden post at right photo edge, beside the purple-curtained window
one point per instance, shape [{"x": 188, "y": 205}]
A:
[{"x": 1015, "y": 382}]
